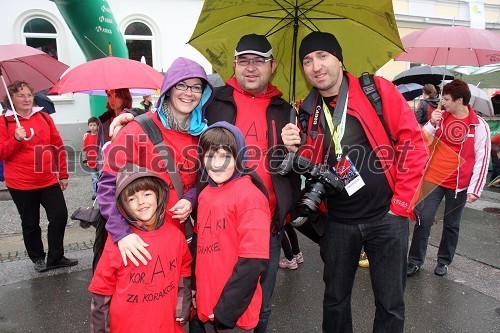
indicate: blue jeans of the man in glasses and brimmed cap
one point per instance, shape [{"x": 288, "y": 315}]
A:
[{"x": 268, "y": 281}]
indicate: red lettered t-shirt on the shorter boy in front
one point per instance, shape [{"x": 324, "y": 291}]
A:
[{"x": 144, "y": 298}]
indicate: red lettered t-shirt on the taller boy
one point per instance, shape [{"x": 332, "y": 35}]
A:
[{"x": 233, "y": 221}]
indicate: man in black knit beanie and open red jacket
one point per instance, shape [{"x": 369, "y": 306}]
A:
[{"x": 381, "y": 166}]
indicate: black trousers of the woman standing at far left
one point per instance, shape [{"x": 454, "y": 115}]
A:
[{"x": 28, "y": 205}]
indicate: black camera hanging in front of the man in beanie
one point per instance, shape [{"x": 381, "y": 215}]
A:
[{"x": 321, "y": 180}]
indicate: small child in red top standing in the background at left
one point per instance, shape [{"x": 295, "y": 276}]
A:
[{"x": 91, "y": 150}]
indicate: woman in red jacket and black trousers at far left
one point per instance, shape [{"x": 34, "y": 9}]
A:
[{"x": 36, "y": 174}]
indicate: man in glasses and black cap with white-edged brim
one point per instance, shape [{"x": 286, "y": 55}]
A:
[{"x": 255, "y": 106}]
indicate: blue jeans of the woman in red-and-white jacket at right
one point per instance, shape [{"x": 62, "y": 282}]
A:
[{"x": 453, "y": 209}]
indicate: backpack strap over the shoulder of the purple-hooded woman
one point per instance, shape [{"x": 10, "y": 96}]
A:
[{"x": 154, "y": 133}]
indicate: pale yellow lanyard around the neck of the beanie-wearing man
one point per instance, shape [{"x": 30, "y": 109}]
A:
[{"x": 336, "y": 123}]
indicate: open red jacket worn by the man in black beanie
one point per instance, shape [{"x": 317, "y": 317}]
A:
[{"x": 404, "y": 160}]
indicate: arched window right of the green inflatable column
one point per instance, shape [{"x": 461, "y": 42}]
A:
[{"x": 139, "y": 38}]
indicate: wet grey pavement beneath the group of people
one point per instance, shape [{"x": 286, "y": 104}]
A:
[{"x": 467, "y": 299}]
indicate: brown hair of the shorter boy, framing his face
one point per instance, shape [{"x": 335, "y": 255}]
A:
[{"x": 144, "y": 184}]
